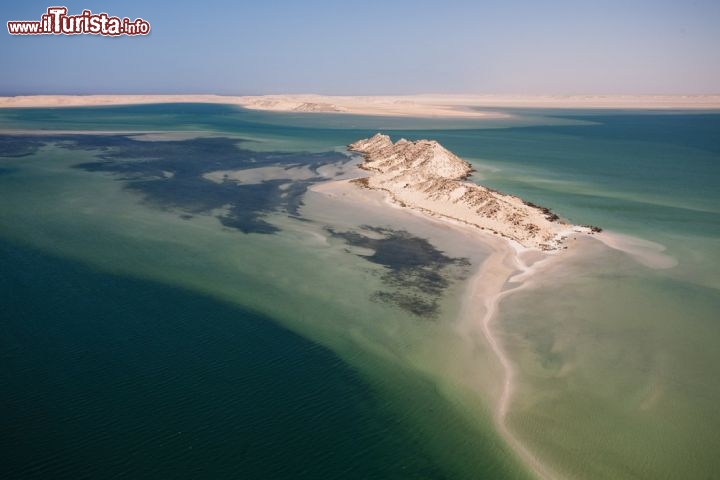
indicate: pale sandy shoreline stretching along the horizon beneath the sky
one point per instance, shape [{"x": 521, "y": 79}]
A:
[{"x": 434, "y": 106}]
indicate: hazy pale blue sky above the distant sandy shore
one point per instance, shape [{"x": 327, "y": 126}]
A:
[{"x": 374, "y": 47}]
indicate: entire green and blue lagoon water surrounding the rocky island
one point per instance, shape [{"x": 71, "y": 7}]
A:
[{"x": 186, "y": 297}]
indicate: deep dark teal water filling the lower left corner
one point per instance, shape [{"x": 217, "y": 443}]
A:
[{"x": 110, "y": 377}]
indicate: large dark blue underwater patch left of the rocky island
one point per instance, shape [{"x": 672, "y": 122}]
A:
[{"x": 170, "y": 174}]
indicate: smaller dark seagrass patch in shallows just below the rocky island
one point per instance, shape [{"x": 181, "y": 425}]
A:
[{"x": 416, "y": 273}]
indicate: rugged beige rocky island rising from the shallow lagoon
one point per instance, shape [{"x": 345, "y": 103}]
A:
[{"x": 425, "y": 176}]
